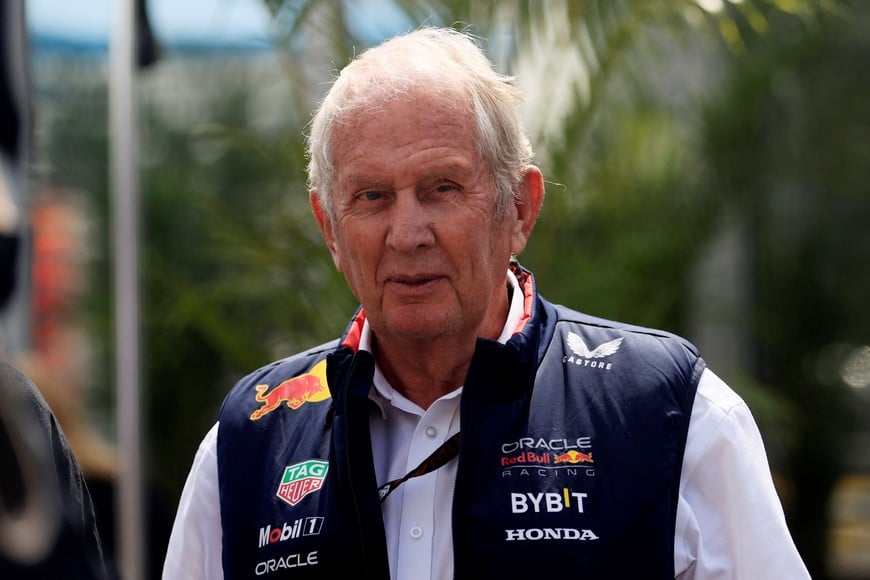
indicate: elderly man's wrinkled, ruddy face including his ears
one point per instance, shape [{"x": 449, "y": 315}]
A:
[{"x": 414, "y": 231}]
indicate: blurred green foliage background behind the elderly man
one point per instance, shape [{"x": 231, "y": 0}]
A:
[{"x": 707, "y": 170}]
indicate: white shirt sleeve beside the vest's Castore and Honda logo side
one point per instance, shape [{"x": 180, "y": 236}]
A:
[{"x": 730, "y": 522}]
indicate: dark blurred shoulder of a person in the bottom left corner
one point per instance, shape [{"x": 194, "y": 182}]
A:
[{"x": 47, "y": 525}]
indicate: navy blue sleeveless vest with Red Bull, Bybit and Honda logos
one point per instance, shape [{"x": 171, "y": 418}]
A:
[{"x": 572, "y": 441}]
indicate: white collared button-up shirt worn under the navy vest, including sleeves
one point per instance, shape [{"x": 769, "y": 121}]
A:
[{"x": 730, "y": 522}]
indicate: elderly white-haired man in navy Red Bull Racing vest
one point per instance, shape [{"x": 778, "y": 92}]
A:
[{"x": 463, "y": 426}]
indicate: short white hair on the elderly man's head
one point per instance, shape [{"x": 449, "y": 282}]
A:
[{"x": 453, "y": 61}]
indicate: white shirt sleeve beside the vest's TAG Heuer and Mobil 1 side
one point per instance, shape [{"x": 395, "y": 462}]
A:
[{"x": 195, "y": 548}]
